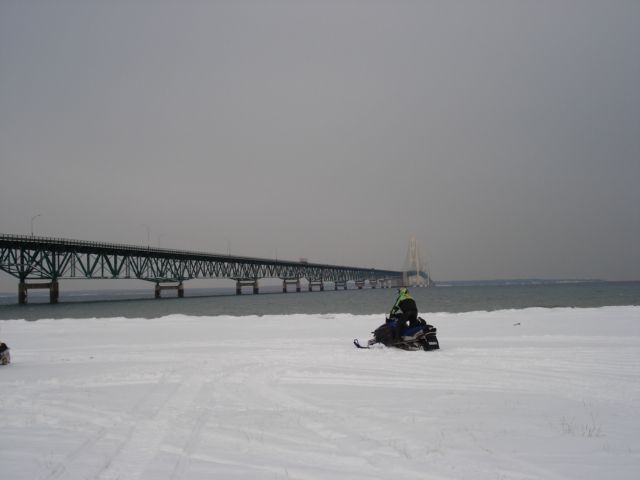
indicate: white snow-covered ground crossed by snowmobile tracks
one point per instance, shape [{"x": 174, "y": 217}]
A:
[{"x": 518, "y": 394}]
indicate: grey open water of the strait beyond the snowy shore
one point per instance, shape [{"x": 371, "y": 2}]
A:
[{"x": 271, "y": 301}]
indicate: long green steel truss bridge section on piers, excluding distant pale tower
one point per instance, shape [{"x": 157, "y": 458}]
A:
[{"x": 40, "y": 262}]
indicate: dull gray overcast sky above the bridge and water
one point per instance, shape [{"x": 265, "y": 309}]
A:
[{"x": 504, "y": 135}]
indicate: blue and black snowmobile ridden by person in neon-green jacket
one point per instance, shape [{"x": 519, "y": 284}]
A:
[{"x": 417, "y": 337}]
